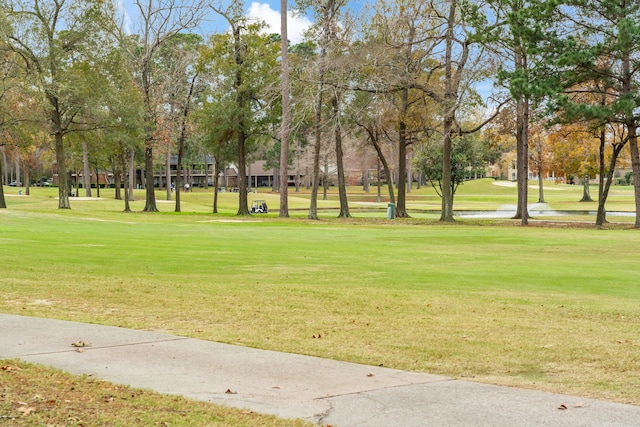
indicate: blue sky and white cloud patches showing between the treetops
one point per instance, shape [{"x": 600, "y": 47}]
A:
[{"x": 269, "y": 12}]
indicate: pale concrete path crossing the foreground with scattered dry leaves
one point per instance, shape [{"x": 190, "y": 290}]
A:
[{"x": 293, "y": 386}]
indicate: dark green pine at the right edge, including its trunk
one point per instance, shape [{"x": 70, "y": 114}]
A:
[{"x": 596, "y": 43}]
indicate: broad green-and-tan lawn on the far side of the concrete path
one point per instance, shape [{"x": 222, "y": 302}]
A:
[{"x": 549, "y": 308}]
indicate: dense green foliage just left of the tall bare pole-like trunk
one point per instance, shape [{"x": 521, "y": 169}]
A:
[{"x": 242, "y": 90}]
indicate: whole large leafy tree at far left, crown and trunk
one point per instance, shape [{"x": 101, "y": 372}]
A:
[{"x": 47, "y": 36}]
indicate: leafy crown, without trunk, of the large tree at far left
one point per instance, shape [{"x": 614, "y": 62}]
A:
[{"x": 61, "y": 46}]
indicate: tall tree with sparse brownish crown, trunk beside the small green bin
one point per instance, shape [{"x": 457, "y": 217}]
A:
[{"x": 400, "y": 41}]
